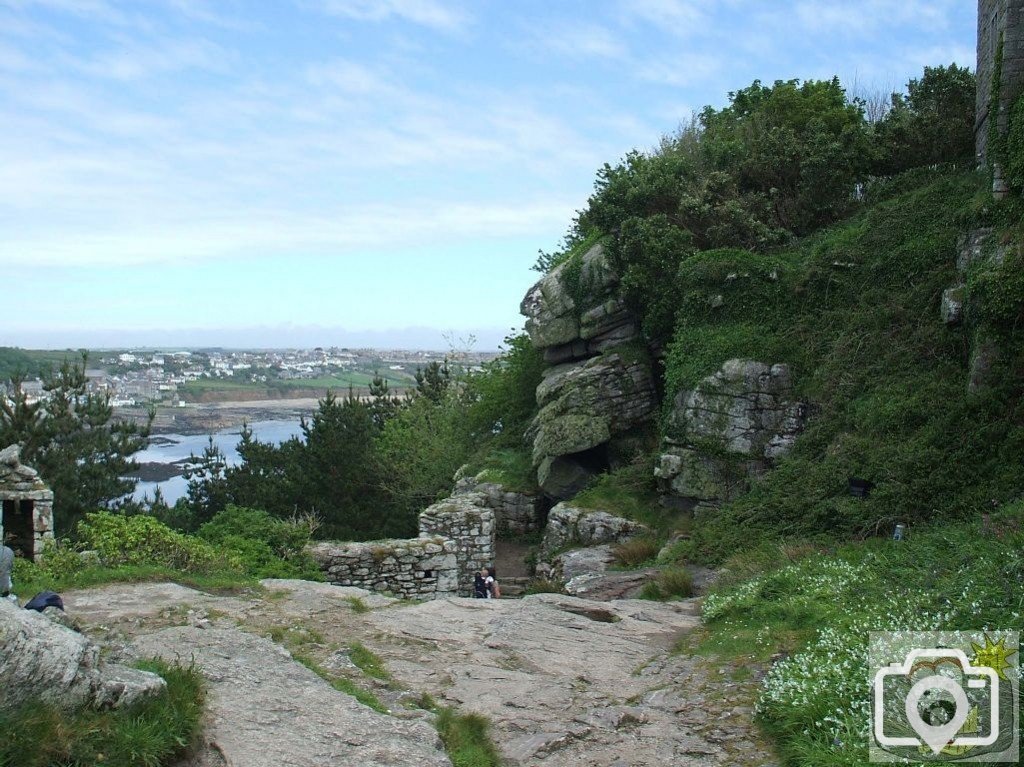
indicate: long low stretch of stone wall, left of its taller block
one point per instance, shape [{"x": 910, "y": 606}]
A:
[{"x": 416, "y": 569}]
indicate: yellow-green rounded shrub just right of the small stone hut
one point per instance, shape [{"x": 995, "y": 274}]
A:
[{"x": 143, "y": 540}]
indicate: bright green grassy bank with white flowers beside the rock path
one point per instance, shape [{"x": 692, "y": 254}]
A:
[{"x": 816, "y": 702}]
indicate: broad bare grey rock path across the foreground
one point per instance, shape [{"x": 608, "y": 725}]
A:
[{"x": 565, "y": 681}]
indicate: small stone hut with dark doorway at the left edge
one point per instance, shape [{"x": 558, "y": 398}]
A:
[{"x": 26, "y": 506}]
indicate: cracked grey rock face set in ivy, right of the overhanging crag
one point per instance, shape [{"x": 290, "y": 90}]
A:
[{"x": 727, "y": 432}]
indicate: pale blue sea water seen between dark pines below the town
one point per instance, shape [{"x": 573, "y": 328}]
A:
[{"x": 168, "y": 449}]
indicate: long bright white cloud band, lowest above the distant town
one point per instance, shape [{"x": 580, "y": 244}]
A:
[{"x": 178, "y": 236}]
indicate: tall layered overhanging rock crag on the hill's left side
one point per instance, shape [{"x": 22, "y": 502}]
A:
[{"x": 601, "y": 390}]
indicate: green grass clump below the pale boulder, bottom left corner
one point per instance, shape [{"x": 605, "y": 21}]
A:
[{"x": 155, "y": 734}]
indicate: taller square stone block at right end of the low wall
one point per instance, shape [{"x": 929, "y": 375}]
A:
[{"x": 466, "y": 521}]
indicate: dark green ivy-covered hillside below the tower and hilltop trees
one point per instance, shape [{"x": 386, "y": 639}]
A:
[{"x": 856, "y": 312}]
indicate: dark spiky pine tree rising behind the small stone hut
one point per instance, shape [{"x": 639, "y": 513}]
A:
[{"x": 72, "y": 439}]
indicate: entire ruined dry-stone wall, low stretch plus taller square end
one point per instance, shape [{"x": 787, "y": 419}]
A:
[{"x": 457, "y": 539}]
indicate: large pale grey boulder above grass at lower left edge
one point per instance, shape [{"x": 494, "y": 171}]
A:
[{"x": 41, "y": 660}]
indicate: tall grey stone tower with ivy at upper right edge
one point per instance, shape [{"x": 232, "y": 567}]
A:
[{"x": 998, "y": 20}]
